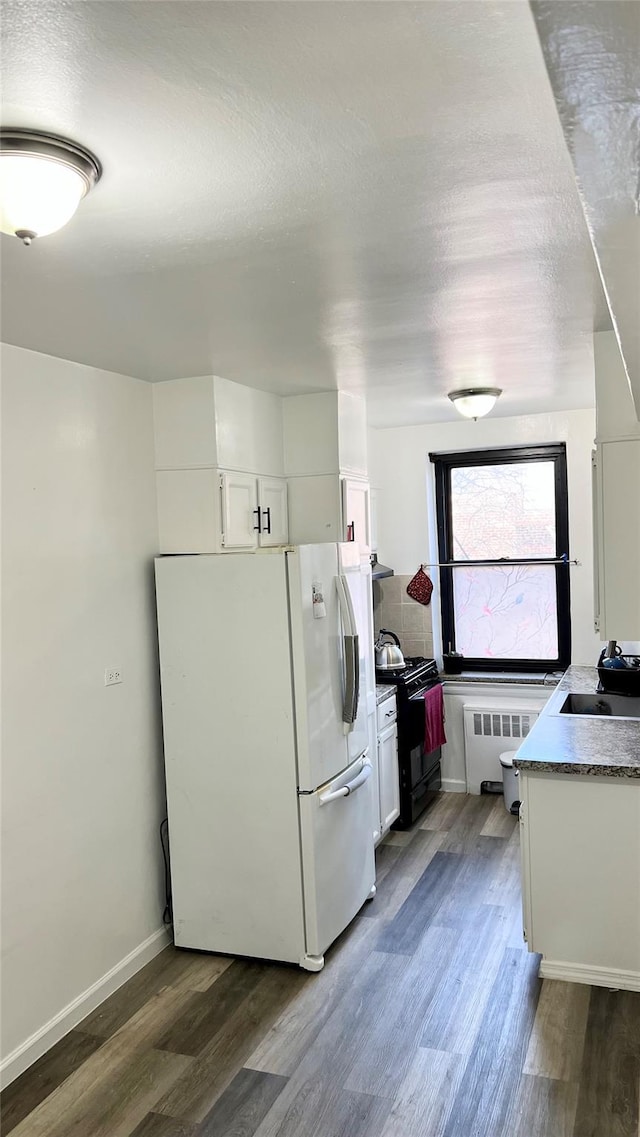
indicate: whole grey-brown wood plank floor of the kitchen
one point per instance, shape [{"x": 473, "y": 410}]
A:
[{"x": 428, "y": 1022}]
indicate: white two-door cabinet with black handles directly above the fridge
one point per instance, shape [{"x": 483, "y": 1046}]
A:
[{"x": 217, "y": 511}]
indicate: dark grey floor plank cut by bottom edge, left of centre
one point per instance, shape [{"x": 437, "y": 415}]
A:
[{"x": 244, "y": 1106}]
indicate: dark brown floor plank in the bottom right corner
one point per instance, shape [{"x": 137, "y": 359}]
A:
[{"x": 608, "y": 1105}]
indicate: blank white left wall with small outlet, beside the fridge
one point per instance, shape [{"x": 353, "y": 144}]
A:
[{"x": 84, "y": 789}]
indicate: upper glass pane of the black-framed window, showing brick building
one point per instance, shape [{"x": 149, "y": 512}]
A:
[{"x": 504, "y": 511}]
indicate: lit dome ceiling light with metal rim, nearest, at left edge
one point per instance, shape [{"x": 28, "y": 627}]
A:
[{"x": 43, "y": 181}]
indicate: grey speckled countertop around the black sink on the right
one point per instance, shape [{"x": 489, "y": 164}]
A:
[{"x": 580, "y": 744}]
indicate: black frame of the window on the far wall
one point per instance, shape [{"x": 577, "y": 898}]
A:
[{"x": 444, "y": 464}]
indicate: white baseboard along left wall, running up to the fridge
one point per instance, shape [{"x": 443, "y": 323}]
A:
[{"x": 53, "y": 1032}]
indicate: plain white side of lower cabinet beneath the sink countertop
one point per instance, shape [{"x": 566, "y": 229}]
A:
[{"x": 580, "y": 844}]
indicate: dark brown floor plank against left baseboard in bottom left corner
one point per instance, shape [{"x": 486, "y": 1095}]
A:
[{"x": 41, "y": 1080}]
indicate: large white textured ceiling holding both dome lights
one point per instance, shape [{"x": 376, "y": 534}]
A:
[{"x": 304, "y": 196}]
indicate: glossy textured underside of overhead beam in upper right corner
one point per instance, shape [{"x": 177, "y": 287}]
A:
[{"x": 593, "y": 54}]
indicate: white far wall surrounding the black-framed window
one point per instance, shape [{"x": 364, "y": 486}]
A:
[{"x": 401, "y": 470}]
